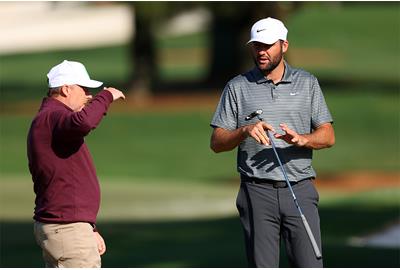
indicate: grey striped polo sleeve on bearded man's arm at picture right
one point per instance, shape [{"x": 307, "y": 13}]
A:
[{"x": 320, "y": 113}]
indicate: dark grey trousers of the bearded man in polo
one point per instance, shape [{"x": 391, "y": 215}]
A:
[{"x": 268, "y": 214}]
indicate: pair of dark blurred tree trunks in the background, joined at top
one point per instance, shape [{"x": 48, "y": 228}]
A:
[{"x": 229, "y": 31}]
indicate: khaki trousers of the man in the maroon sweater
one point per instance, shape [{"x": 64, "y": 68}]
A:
[{"x": 68, "y": 245}]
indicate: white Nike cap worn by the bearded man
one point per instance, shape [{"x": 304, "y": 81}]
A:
[{"x": 268, "y": 31}]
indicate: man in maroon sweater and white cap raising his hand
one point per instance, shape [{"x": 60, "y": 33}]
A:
[{"x": 65, "y": 182}]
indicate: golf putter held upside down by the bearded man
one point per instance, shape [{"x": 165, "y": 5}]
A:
[{"x": 317, "y": 252}]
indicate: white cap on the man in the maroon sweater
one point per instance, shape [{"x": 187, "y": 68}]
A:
[{"x": 70, "y": 72}]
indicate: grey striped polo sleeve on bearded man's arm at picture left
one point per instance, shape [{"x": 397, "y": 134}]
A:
[{"x": 225, "y": 115}]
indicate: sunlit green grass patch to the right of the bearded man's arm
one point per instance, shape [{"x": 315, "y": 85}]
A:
[{"x": 367, "y": 129}]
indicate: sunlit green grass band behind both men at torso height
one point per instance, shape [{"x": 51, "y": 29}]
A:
[{"x": 175, "y": 145}]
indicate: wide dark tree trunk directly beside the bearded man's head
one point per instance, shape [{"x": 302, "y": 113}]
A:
[{"x": 230, "y": 32}]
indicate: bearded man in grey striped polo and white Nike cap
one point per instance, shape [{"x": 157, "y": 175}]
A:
[{"x": 294, "y": 110}]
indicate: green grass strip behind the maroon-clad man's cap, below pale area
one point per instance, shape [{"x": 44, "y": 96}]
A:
[{"x": 23, "y": 76}]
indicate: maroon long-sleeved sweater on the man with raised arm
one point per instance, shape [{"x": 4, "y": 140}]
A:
[{"x": 64, "y": 177}]
